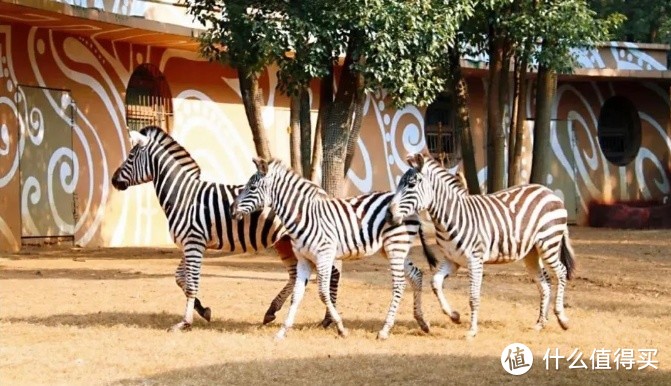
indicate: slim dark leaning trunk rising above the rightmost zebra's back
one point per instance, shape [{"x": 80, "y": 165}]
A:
[{"x": 463, "y": 123}]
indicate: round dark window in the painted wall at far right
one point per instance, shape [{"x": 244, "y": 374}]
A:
[{"x": 619, "y": 130}]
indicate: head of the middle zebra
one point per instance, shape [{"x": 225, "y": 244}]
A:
[{"x": 255, "y": 195}]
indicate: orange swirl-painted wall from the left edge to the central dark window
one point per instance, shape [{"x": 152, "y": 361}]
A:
[{"x": 207, "y": 120}]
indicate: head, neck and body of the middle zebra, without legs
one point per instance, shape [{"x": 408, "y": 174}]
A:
[{"x": 355, "y": 226}]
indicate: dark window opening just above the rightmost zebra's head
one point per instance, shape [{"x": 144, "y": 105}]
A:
[{"x": 441, "y": 138}]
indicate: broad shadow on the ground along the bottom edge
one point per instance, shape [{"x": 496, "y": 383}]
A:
[{"x": 391, "y": 369}]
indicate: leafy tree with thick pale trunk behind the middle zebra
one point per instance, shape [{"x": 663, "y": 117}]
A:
[{"x": 394, "y": 45}]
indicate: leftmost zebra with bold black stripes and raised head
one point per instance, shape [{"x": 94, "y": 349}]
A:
[{"x": 199, "y": 217}]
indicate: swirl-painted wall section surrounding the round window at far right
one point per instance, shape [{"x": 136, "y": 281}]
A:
[{"x": 597, "y": 179}]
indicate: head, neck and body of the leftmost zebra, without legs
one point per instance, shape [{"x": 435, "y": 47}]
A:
[{"x": 196, "y": 210}]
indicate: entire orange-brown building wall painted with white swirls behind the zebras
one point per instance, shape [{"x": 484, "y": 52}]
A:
[{"x": 210, "y": 121}]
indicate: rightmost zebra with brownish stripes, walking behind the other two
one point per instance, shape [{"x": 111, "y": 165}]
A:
[{"x": 522, "y": 222}]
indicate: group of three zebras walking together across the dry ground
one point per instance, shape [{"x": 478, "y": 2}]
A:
[{"x": 311, "y": 230}]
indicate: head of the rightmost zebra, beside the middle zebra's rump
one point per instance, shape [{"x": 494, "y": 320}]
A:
[{"x": 413, "y": 193}]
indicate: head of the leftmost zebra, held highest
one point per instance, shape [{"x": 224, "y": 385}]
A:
[{"x": 135, "y": 169}]
